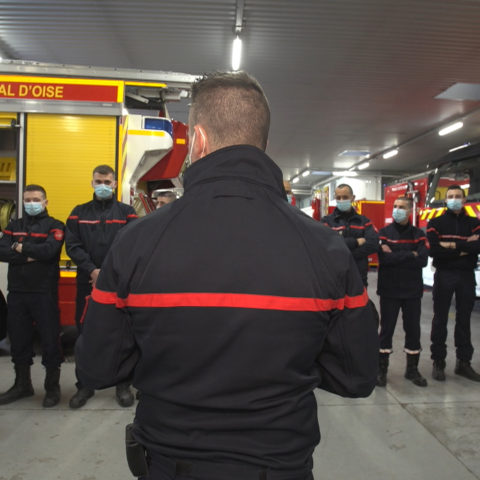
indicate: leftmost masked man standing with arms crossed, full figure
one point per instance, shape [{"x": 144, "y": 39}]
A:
[{"x": 31, "y": 245}]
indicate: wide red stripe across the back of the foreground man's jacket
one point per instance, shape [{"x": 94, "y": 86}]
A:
[{"x": 230, "y": 300}]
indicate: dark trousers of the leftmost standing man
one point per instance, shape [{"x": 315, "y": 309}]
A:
[{"x": 27, "y": 311}]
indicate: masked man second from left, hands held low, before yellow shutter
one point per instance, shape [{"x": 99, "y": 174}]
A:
[{"x": 91, "y": 230}]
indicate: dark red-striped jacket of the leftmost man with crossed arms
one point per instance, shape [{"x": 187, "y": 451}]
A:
[{"x": 42, "y": 239}]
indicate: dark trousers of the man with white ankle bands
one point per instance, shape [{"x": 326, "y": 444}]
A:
[{"x": 411, "y": 310}]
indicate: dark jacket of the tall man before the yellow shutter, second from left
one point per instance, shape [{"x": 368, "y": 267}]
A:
[{"x": 91, "y": 229}]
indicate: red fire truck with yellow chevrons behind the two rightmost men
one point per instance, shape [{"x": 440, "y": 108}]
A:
[{"x": 461, "y": 167}]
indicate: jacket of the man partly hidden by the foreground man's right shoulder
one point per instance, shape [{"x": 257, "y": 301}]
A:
[{"x": 351, "y": 225}]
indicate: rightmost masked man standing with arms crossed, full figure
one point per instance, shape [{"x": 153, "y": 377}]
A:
[{"x": 454, "y": 246}]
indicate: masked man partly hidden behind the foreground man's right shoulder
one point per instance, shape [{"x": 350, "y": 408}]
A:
[{"x": 357, "y": 231}]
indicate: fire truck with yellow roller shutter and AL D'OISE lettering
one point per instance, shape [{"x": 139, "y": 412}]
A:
[{"x": 57, "y": 122}]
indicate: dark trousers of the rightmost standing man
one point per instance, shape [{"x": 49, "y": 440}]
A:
[{"x": 445, "y": 284}]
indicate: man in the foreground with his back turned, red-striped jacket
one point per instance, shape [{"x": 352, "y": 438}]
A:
[{"x": 257, "y": 306}]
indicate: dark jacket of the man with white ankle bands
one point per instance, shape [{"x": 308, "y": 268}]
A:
[{"x": 400, "y": 272}]
